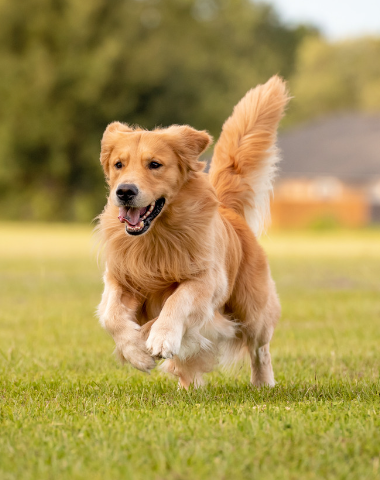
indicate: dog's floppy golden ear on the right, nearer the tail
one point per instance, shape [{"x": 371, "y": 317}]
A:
[{"x": 188, "y": 144}]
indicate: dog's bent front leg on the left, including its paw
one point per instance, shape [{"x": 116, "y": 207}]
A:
[{"x": 117, "y": 314}]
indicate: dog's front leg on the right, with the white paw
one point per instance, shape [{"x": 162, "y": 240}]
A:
[{"x": 191, "y": 304}]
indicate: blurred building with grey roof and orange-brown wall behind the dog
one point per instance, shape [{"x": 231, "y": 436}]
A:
[{"x": 330, "y": 173}]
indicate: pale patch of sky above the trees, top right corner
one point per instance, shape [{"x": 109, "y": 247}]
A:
[{"x": 337, "y": 19}]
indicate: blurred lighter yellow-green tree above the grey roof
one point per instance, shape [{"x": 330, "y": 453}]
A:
[{"x": 335, "y": 77}]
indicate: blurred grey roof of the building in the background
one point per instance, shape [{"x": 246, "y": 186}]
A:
[{"x": 346, "y": 146}]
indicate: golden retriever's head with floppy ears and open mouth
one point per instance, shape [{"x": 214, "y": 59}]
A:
[{"x": 146, "y": 169}]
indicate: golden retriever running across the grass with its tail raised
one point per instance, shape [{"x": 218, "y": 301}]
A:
[{"x": 186, "y": 279}]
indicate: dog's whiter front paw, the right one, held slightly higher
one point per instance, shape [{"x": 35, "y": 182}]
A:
[{"x": 164, "y": 342}]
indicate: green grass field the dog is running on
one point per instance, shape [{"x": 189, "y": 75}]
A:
[{"x": 68, "y": 410}]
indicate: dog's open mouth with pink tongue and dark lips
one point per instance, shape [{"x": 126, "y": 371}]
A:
[{"x": 138, "y": 220}]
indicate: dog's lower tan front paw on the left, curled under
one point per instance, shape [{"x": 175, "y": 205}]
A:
[{"x": 132, "y": 349}]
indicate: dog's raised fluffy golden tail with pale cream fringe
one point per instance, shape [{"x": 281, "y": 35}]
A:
[{"x": 245, "y": 157}]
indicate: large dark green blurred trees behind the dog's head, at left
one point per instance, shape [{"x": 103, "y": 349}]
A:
[{"x": 69, "y": 67}]
